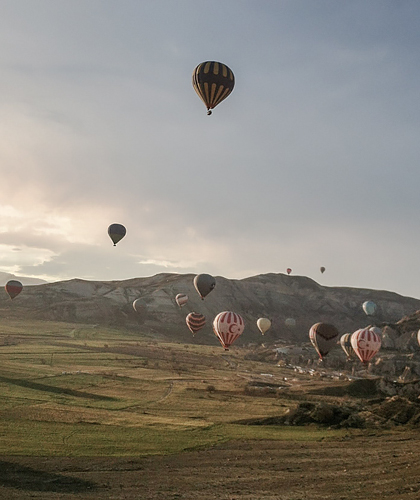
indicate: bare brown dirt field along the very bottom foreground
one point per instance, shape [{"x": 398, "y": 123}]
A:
[{"x": 368, "y": 466}]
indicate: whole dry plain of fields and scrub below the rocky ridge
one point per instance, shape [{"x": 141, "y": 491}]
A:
[{"x": 100, "y": 413}]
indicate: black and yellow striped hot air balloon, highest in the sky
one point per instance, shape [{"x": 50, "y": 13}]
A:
[{"x": 213, "y": 82}]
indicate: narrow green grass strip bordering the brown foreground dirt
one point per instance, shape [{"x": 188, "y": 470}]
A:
[{"x": 33, "y": 438}]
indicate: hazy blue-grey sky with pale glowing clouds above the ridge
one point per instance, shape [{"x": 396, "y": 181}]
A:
[{"x": 313, "y": 160}]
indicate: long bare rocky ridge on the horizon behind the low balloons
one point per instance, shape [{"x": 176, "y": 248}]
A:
[{"x": 276, "y": 296}]
